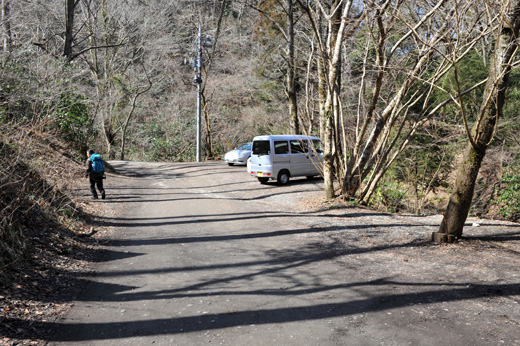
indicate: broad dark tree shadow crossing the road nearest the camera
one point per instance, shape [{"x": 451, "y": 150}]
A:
[{"x": 439, "y": 293}]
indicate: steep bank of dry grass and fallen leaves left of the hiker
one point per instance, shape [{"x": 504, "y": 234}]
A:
[{"x": 43, "y": 242}]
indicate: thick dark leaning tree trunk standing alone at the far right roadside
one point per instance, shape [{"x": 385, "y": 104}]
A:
[{"x": 482, "y": 132}]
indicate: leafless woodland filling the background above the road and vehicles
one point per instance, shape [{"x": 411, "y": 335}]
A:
[{"x": 415, "y": 101}]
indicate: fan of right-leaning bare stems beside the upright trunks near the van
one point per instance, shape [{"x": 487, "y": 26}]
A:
[{"x": 373, "y": 143}]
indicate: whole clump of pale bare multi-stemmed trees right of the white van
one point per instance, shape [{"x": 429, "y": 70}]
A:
[{"x": 409, "y": 48}]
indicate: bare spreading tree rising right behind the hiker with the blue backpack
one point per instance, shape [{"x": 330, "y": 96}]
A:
[{"x": 114, "y": 64}]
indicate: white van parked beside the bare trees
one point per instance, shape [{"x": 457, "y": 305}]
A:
[{"x": 285, "y": 156}]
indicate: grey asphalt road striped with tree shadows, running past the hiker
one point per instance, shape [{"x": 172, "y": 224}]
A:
[{"x": 202, "y": 254}]
